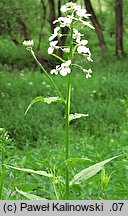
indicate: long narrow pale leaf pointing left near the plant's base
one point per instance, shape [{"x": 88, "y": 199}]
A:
[{"x": 42, "y": 173}]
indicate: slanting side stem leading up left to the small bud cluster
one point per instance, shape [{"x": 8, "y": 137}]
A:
[{"x": 51, "y": 80}]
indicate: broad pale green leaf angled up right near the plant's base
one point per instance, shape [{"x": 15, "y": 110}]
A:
[{"x": 89, "y": 172}]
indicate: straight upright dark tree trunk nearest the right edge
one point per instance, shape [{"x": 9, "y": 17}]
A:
[{"x": 119, "y": 28}]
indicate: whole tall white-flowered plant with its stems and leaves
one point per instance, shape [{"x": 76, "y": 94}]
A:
[{"x": 73, "y": 15}]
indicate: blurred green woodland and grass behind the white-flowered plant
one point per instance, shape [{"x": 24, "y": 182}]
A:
[{"x": 38, "y": 138}]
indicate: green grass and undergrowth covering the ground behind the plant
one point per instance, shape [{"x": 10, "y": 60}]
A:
[{"x": 38, "y": 138}]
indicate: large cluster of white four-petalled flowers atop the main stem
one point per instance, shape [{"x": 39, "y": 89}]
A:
[{"x": 73, "y": 14}]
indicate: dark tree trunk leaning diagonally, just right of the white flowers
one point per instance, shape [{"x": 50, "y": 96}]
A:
[{"x": 95, "y": 22}]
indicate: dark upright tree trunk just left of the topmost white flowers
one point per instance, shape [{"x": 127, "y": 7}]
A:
[{"x": 52, "y": 14}]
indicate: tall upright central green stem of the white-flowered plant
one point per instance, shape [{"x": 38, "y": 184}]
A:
[{"x": 68, "y": 98}]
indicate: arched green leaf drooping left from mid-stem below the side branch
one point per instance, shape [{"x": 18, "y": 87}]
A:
[{"x": 44, "y": 100}]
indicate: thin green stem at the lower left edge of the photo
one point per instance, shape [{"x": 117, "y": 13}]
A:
[{"x": 2, "y": 171}]
